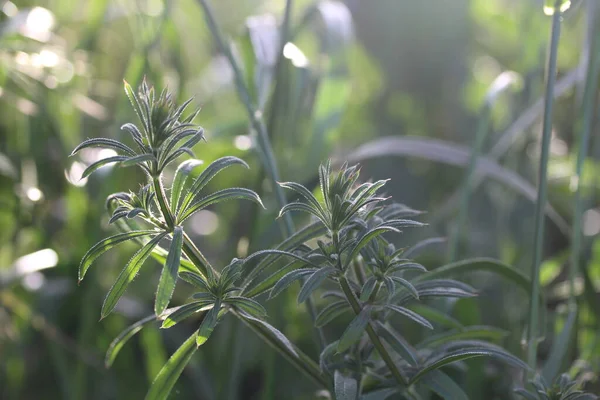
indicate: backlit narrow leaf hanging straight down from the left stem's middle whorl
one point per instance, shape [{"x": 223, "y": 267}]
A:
[{"x": 168, "y": 277}]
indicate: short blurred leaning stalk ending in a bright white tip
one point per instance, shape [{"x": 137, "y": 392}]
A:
[{"x": 467, "y": 190}]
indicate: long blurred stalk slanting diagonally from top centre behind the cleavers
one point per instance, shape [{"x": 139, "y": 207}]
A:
[{"x": 264, "y": 144}]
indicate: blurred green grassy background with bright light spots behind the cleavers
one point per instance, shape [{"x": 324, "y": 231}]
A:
[{"x": 397, "y": 86}]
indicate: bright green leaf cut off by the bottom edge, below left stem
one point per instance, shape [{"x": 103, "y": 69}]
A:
[{"x": 170, "y": 372}]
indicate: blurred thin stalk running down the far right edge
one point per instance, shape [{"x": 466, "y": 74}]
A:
[{"x": 587, "y": 110}]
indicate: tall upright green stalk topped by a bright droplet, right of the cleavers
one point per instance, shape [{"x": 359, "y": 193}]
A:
[{"x": 542, "y": 191}]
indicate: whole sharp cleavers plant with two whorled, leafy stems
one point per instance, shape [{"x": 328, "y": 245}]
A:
[{"x": 344, "y": 254}]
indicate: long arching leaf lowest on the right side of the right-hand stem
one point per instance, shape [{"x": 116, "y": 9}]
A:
[{"x": 462, "y": 350}]
